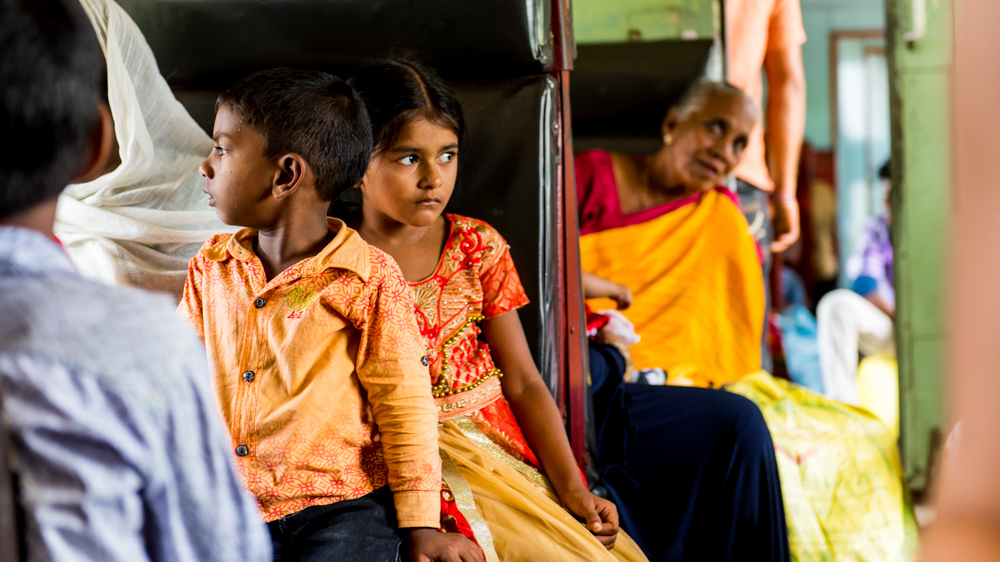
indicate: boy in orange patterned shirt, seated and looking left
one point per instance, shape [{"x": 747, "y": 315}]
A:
[{"x": 319, "y": 366}]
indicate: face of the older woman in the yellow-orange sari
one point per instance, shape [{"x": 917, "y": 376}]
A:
[{"x": 708, "y": 143}]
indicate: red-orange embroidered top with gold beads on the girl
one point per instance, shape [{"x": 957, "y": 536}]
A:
[{"x": 475, "y": 280}]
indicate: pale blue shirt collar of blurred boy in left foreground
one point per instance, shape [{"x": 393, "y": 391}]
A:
[{"x": 28, "y": 251}]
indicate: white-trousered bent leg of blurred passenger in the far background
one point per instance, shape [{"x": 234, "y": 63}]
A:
[{"x": 848, "y": 323}]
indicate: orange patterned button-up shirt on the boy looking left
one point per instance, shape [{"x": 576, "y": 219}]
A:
[{"x": 320, "y": 374}]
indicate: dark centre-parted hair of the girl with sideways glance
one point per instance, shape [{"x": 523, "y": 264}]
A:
[{"x": 399, "y": 91}]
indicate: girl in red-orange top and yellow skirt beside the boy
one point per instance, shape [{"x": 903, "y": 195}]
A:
[{"x": 511, "y": 482}]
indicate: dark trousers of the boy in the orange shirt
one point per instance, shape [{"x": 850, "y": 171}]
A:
[{"x": 359, "y": 529}]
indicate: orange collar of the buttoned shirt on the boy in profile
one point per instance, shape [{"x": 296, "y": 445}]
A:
[{"x": 347, "y": 251}]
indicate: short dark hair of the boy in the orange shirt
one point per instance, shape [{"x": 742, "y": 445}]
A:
[{"x": 310, "y": 113}]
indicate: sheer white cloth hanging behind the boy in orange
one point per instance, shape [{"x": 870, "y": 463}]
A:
[{"x": 142, "y": 223}]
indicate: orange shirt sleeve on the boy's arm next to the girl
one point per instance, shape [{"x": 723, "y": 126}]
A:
[{"x": 391, "y": 367}]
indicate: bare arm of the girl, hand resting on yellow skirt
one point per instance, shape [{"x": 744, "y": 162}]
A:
[{"x": 542, "y": 424}]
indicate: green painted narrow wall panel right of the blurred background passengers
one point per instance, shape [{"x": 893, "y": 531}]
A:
[{"x": 920, "y": 82}]
